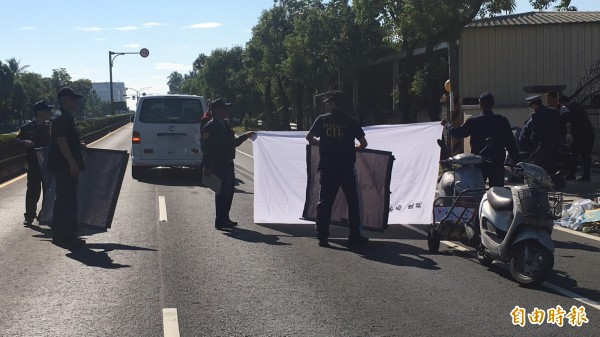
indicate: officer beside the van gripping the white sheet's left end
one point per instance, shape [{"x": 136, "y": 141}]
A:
[{"x": 218, "y": 147}]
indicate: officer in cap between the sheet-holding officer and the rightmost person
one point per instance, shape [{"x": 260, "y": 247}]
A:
[{"x": 542, "y": 135}]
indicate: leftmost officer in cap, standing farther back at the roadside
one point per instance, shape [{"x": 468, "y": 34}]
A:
[{"x": 35, "y": 133}]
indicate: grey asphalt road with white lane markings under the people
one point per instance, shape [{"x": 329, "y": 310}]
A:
[{"x": 182, "y": 277}]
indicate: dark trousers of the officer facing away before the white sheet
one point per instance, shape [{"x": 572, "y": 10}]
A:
[{"x": 331, "y": 181}]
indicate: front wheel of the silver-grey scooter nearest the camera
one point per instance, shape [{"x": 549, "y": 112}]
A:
[{"x": 531, "y": 263}]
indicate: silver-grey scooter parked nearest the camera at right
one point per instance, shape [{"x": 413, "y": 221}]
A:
[{"x": 516, "y": 225}]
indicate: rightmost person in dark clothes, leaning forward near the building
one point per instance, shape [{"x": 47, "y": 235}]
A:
[{"x": 583, "y": 136}]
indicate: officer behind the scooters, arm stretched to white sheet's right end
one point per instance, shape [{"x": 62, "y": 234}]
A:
[{"x": 484, "y": 125}]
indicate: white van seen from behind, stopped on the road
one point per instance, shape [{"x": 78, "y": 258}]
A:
[{"x": 166, "y": 132}]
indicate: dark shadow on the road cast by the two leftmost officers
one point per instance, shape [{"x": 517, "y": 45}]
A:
[{"x": 92, "y": 258}]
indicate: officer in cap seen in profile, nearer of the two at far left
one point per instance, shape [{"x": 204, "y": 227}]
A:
[{"x": 65, "y": 161}]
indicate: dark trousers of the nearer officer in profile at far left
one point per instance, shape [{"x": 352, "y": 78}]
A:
[{"x": 64, "y": 216}]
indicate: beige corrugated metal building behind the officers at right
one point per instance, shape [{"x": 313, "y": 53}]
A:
[{"x": 518, "y": 55}]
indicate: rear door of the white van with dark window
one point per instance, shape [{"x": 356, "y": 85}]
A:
[{"x": 170, "y": 128}]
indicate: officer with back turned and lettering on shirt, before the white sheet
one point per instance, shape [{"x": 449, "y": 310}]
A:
[{"x": 335, "y": 134}]
